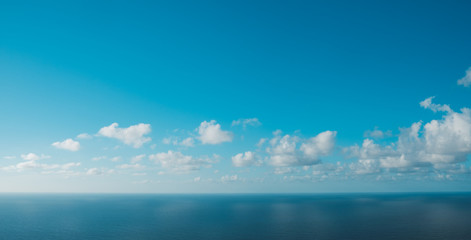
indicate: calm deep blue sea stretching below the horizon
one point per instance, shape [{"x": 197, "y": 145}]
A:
[{"x": 329, "y": 216}]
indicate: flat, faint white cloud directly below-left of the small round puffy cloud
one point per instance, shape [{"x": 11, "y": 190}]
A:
[{"x": 180, "y": 163}]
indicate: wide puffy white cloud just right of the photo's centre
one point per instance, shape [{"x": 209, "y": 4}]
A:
[{"x": 294, "y": 151}]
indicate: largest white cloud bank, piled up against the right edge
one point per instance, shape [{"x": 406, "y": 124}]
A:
[{"x": 440, "y": 142}]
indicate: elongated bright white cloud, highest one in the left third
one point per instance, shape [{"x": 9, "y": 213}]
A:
[{"x": 133, "y": 135}]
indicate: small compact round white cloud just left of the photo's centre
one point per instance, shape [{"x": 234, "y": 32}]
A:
[{"x": 211, "y": 133}]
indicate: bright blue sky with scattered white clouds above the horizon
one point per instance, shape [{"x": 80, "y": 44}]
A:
[{"x": 235, "y": 96}]
